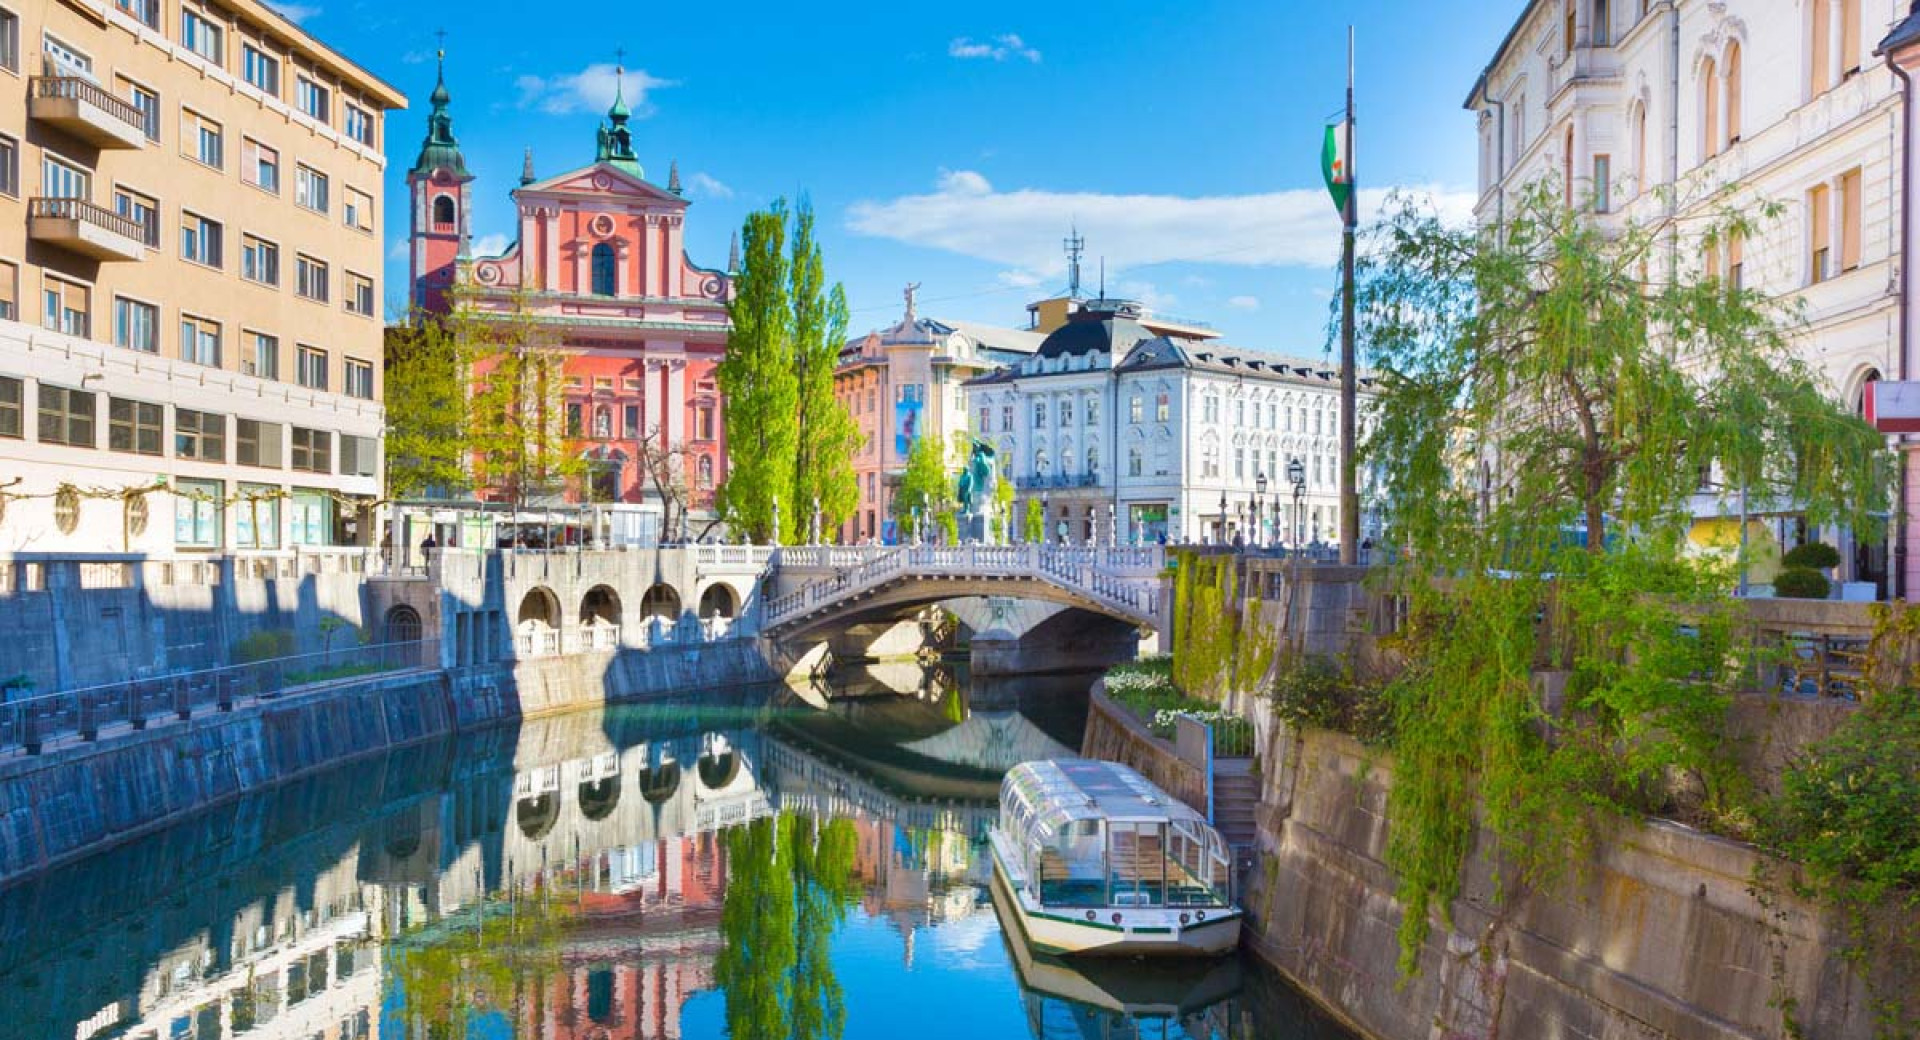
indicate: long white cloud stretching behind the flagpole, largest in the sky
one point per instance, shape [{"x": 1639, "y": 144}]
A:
[{"x": 1022, "y": 227}]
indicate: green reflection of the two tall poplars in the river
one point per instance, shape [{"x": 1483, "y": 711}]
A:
[{"x": 790, "y": 882}]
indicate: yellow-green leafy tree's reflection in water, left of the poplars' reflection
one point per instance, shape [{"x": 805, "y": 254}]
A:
[{"x": 456, "y": 980}]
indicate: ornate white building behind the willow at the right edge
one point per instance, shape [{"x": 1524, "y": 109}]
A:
[{"x": 1646, "y": 110}]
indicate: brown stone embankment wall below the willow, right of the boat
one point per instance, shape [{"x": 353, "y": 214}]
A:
[{"x": 1662, "y": 934}]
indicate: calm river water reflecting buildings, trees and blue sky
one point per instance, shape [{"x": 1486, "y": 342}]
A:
[{"x": 759, "y": 864}]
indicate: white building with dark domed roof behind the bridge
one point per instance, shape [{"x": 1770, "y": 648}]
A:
[{"x": 1140, "y": 435}]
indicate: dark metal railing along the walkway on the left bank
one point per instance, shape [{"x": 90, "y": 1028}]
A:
[{"x": 137, "y": 703}]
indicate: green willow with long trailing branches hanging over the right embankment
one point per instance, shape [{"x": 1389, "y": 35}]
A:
[{"x": 1547, "y": 414}]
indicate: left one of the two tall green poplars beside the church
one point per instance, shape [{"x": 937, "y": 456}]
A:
[{"x": 761, "y": 385}]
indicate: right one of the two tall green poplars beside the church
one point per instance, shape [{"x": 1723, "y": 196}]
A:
[{"x": 823, "y": 469}]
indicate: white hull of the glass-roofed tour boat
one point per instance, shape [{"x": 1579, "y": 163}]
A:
[{"x": 1141, "y": 934}]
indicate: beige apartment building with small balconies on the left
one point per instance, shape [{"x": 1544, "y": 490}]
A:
[{"x": 191, "y": 247}]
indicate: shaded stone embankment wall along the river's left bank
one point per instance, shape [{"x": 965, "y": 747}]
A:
[{"x": 78, "y": 799}]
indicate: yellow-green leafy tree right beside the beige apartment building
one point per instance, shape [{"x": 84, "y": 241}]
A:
[{"x": 427, "y": 415}]
